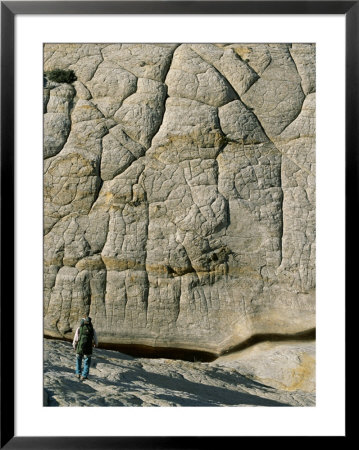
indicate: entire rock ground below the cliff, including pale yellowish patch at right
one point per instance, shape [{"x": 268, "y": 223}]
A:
[{"x": 117, "y": 379}]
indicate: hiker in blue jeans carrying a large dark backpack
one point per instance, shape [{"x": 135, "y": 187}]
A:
[{"x": 84, "y": 337}]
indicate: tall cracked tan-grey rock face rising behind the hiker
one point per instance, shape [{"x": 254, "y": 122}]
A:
[{"x": 179, "y": 192}]
